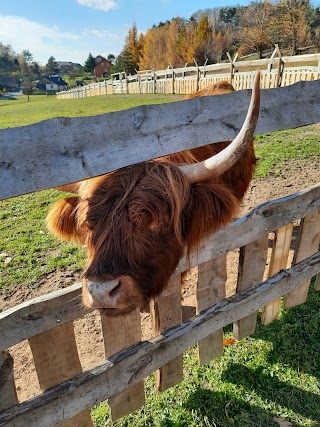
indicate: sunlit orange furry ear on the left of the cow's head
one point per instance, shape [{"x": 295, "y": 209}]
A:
[{"x": 62, "y": 220}]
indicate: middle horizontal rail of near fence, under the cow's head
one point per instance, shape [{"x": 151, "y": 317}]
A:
[{"x": 43, "y": 313}]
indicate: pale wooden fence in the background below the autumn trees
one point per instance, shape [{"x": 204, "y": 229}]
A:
[{"x": 275, "y": 72}]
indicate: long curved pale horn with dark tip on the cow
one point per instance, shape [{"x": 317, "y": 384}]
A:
[{"x": 219, "y": 163}]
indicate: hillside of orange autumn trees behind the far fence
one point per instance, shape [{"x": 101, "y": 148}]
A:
[{"x": 210, "y": 33}]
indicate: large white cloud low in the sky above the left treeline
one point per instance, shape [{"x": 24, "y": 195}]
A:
[{"x": 44, "y": 41}]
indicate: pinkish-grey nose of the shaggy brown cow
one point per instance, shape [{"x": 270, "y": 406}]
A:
[{"x": 104, "y": 294}]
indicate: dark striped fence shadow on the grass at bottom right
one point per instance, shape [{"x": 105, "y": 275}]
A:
[{"x": 295, "y": 339}]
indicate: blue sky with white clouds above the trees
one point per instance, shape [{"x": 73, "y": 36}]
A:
[{"x": 70, "y": 29}]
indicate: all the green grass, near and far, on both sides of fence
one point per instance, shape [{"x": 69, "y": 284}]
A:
[{"x": 276, "y": 372}]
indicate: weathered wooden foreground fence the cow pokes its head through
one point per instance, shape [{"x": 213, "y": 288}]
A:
[{"x": 59, "y": 151}]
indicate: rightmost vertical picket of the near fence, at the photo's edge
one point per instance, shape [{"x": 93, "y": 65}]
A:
[{"x": 307, "y": 244}]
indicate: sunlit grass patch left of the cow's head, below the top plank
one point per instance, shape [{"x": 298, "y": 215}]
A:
[{"x": 34, "y": 253}]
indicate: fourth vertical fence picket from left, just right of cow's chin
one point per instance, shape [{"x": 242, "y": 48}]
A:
[{"x": 166, "y": 311}]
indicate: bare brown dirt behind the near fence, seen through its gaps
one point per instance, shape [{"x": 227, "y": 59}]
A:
[{"x": 294, "y": 176}]
